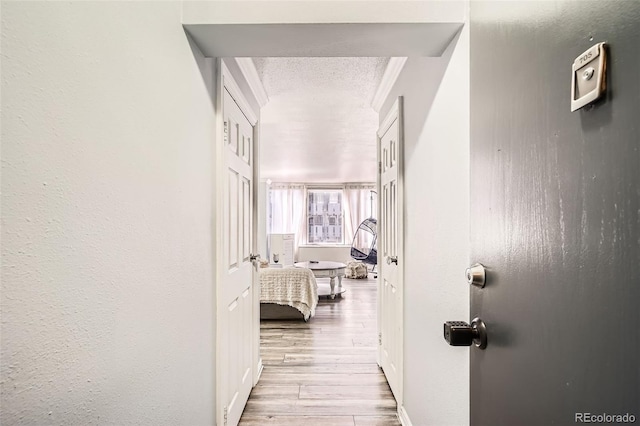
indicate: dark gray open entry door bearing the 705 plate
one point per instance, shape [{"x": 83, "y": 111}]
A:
[{"x": 555, "y": 214}]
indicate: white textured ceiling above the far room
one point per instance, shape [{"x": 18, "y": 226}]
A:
[{"x": 318, "y": 125}]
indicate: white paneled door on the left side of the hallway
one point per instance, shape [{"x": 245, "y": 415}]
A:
[{"x": 235, "y": 287}]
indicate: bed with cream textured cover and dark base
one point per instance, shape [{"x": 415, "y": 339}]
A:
[{"x": 287, "y": 293}]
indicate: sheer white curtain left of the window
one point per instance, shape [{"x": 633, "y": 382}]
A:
[{"x": 287, "y": 211}]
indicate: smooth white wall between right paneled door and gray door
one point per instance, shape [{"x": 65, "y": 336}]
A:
[{"x": 436, "y": 104}]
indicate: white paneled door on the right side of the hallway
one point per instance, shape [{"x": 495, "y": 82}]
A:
[{"x": 390, "y": 256}]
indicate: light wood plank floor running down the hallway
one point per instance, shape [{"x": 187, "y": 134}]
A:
[{"x": 324, "y": 372}]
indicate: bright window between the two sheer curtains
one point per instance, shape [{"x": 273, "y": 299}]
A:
[{"x": 324, "y": 215}]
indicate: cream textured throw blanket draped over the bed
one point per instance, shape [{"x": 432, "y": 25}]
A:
[{"x": 295, "y": 287}]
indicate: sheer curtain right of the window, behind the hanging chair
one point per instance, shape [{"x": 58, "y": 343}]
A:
[{"x": 358, "y": 206}]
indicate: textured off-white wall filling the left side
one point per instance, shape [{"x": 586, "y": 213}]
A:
[{"x": 107, "y": 291}]
